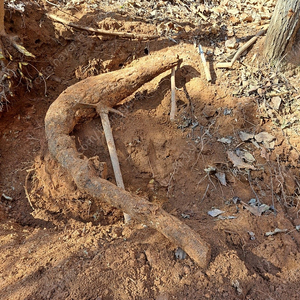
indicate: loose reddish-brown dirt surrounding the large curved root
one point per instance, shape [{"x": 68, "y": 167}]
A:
[{"x": 63, "y": 244}]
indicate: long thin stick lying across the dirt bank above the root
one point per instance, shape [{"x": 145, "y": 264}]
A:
[{"x": 104, "y": 32}]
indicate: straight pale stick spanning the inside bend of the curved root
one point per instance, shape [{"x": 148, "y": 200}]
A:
[{"x": 113, "y": 154}]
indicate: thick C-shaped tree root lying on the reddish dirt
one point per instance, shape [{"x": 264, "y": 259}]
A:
[{"x": 110, "y": 89}]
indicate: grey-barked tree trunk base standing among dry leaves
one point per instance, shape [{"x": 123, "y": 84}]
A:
[{"x": 282, "y": 40}]
